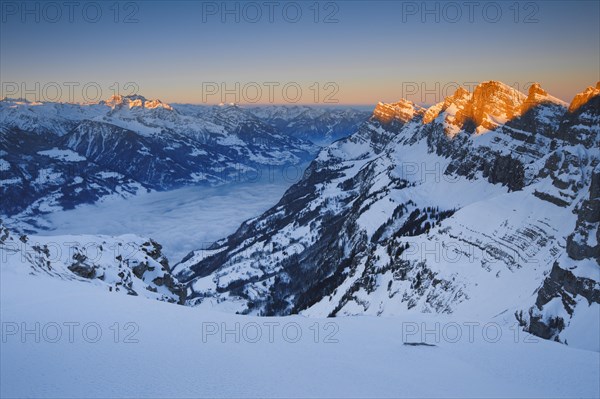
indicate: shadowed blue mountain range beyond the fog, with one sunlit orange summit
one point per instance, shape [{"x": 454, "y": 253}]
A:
[{"x": 57, "y": 155}]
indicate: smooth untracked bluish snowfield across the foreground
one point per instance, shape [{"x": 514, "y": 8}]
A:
[{"x": 135, "y": 347}]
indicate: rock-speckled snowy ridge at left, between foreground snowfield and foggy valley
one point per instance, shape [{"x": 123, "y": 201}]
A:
[{"x": 127, "y": 264}]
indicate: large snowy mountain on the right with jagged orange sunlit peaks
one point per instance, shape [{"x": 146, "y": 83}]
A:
[{"x": 462, "y": 208}]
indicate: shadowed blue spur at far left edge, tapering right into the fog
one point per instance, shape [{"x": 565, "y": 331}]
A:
[{"x": 40, "y": 176}]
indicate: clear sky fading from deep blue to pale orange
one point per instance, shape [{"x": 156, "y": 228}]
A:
[{"x": 376, "y": 51}]
